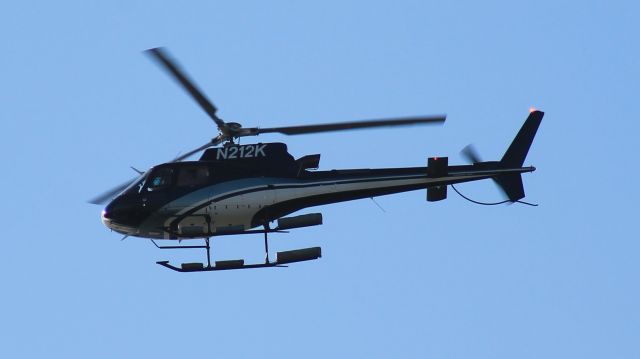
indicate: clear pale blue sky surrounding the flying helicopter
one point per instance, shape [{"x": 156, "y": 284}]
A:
[{"x": 79, "y": 104}]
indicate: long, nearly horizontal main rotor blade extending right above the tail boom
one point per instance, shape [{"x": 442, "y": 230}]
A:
[{"x": 342, "y": 126}]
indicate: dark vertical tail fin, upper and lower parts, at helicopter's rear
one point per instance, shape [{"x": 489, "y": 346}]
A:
[{"x": 514, "y": 157}]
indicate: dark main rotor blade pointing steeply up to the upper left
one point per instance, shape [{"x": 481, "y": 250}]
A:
[{"x": 160, "y": 55}]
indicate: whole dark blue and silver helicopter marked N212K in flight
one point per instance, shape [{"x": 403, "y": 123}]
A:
[{"x": 235, "y": 189}]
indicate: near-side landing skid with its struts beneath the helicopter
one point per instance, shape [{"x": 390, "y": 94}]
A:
[{"x": 282, "y": 258}]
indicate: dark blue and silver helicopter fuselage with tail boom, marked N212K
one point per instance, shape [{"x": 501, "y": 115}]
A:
[{"x": 236, "y": 188}]
